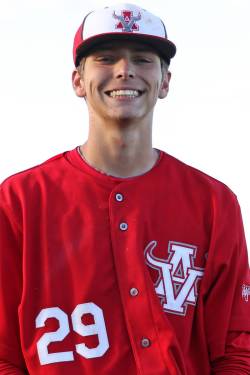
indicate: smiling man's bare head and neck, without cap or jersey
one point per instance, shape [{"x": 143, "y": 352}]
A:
[{"x": 121, "y": 85}]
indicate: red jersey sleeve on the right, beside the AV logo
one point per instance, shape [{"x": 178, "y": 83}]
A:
[{"x": 227, "y": 280}]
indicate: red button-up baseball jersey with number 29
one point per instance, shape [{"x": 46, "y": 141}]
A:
[{"x": 104, "y": 275}]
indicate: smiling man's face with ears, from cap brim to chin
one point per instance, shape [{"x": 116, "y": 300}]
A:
[{"x": 122, "y": 81}]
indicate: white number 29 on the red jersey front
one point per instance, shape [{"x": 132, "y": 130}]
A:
[{"x": 97, "y": 328}]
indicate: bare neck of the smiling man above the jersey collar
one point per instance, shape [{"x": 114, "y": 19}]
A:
[{"x": 124, "y": 151}]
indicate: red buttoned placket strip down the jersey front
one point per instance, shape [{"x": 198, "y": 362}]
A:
[{"x": 135, "y": 301}]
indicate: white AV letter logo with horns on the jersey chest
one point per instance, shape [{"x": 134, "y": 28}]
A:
[{"x": 176, "y": 285}]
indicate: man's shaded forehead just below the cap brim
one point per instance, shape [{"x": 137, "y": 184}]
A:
[{"x": 118, "y": 46}]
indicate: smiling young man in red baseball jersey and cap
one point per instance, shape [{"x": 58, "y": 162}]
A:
[{"x": 116, "y": 258}]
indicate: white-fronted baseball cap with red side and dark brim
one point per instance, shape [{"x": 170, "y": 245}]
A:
[{"x": 122, "y": 22}]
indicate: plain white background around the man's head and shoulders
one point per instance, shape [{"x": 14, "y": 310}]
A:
[{"x": 204, "y": 121}]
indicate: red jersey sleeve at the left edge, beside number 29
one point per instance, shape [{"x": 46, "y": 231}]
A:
[{"x": 11, "y": 359}]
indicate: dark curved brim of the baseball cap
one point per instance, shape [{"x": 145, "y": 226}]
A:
[{"x": 164, "y": 47}]
